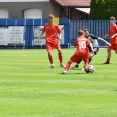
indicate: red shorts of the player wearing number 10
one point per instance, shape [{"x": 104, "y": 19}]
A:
[{"x": 77, "y": 57}]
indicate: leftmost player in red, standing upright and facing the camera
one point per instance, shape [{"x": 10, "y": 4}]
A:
[{"x": 53, "y": 35}]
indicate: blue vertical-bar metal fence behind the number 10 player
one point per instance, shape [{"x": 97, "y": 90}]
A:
[{"x": 96, "y": 27}]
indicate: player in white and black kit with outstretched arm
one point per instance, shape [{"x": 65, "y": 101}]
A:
[{"x": 94, "y": 40}]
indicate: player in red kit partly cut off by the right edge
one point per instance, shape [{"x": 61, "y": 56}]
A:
[{"x": 113, "y": 35}]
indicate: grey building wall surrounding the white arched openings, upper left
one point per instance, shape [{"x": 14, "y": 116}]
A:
[{"x": 15, "y": 8}]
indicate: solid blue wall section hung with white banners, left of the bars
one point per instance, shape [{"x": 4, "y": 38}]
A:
[{"x": 23, "y": 33}]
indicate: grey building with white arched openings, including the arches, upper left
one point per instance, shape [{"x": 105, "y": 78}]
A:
[{"x": 17, "y": 8}]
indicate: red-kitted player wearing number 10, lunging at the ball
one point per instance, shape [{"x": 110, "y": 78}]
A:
[{"x": 82, "y": 44}]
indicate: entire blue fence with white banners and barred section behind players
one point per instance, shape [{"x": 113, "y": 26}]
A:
[{"x": 30, "y": 29}]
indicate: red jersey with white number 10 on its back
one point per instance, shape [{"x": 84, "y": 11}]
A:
[{"x": 82, "y": 44}]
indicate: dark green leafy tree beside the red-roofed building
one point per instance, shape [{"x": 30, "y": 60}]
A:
[{"x": 103, "y": 9}]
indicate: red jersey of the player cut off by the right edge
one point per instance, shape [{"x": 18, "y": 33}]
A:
[{"x": 111, "y": 32}]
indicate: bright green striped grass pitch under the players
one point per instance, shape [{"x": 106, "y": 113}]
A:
[{"x": 29, "y": 88}]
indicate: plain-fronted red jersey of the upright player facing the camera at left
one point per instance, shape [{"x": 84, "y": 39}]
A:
[{"x": 51, "y": 30}]
